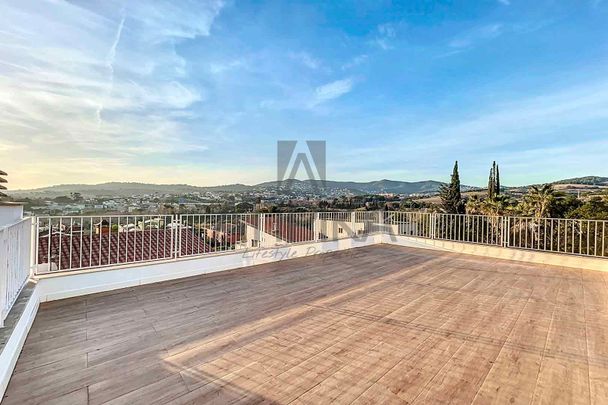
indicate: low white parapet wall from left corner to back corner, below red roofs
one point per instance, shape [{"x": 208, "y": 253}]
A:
[{"x": 75, "y": 283}]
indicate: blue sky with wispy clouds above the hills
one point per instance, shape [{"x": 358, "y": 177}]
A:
[{"x": 199, "y": 92}]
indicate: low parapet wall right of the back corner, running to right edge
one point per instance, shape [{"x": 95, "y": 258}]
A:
[{"x": 497, "y": 252}]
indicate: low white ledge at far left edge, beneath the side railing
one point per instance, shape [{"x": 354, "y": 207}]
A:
[{"x": 23, "y": 312}]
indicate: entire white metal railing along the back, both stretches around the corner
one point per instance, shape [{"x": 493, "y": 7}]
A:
[{"x": 70, "y": 243}]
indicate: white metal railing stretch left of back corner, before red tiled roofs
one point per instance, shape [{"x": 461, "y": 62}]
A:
[{"x": 82, "y": 242}]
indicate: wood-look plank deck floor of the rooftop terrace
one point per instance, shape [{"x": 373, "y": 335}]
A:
[{"x": 380, "y": 324}]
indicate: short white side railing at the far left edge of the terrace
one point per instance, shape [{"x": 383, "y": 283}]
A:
[{"x": 15, "y": 255}]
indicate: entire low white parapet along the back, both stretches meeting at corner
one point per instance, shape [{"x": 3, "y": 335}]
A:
[{"x": 70, "y": 284}]
